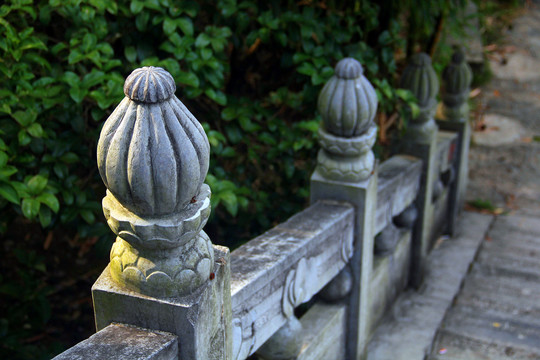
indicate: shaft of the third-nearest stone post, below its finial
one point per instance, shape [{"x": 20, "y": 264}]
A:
[{"x": 421, "y": 240}]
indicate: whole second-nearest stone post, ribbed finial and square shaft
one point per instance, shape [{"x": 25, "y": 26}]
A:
[{"x": 346, "y": 172}]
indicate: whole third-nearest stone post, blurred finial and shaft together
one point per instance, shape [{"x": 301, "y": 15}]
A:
[{"x": 420, "y": 141}]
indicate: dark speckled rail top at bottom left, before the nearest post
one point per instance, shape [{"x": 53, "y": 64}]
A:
[{"x": 121, "y": 342}]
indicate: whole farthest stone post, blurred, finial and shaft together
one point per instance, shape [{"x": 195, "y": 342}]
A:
[{"x": 457, "y": 77}]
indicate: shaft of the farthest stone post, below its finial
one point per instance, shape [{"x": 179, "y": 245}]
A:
[{"x": 461, "y": 168}]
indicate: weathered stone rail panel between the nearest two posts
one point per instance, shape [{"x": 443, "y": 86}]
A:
[{"x": 284, "y": 267}]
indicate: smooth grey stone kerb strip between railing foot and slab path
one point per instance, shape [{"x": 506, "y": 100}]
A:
[{"x": 409, "y": 328}]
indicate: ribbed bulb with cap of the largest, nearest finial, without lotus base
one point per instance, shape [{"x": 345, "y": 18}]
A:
[{"x": 152, "y": 153}]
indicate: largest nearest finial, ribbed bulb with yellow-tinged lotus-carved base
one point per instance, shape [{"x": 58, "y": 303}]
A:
[{"x": 153, "y": 157}]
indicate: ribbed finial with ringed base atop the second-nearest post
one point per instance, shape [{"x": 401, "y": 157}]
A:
[{"x": 347, "y": 104}]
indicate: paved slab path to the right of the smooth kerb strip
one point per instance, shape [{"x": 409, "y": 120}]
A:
[{"x": 497, "y": 312}]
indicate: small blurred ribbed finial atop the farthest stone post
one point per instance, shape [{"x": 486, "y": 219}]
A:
[{"x": 457, "y": 77}]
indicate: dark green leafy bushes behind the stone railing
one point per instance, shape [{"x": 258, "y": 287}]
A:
[{"x": 249, "y": 70}]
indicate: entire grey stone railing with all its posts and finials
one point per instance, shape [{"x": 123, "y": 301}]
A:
[{"x": 362, "y": 241}]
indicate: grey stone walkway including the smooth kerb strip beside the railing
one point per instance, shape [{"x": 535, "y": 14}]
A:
[{"x": 494, "y": 313}]
